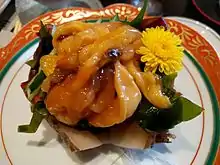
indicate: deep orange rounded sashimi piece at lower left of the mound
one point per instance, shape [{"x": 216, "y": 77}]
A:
[{"x": 73, "y": 105}]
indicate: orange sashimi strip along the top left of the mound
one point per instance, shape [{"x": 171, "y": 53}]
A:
[{"x": 70, "y": 50}]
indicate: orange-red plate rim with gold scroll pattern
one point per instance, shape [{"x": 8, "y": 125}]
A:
[{"x": 27, "y": 35}]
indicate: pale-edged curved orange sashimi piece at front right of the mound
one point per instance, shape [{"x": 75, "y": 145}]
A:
[{"x": 128, "y": 98}]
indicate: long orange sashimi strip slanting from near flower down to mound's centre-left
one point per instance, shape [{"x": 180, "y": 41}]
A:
[{"x": 119, "y": 38}]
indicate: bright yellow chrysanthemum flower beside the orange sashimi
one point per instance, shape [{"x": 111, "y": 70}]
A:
[{"x": 162, "y": 50}]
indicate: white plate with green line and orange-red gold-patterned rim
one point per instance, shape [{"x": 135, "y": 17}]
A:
[{"x": 196, "y": 141}]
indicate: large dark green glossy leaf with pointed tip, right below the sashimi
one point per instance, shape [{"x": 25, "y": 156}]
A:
[{"x": 152, "y": 118}]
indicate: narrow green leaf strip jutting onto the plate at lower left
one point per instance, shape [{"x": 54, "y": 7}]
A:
[{"x": 39, "y": 113}]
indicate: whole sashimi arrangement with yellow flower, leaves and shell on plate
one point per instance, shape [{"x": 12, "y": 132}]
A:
[{"x": 108, "y": 76}]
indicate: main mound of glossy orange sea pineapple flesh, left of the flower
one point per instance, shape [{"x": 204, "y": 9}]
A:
[{"x": 83, "y": 51}]
